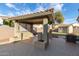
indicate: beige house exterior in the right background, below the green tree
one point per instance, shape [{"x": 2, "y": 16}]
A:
[{"x": 69, "y": 29}]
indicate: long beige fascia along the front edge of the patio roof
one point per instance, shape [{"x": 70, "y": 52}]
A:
[{"x": 32, "y": 16}]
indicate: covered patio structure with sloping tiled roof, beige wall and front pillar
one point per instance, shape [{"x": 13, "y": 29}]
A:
[{"x": 27, "y": 22}]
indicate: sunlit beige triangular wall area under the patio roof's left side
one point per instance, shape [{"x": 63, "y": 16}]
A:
[{"x": 20, "y": 33}]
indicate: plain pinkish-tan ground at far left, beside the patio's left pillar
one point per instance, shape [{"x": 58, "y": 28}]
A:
[{"x": 5, "y": 32}]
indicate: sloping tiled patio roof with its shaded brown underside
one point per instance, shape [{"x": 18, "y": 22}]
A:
[{"x": 34, "y": 18}]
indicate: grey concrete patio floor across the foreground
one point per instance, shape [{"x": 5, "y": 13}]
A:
[{"x": 57, "y": 47}]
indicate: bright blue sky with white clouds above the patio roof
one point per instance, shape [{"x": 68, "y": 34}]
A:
[{"x": 69, "y": 10}]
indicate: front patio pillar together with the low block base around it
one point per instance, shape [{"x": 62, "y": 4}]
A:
[{"x": 43, "y": 41}]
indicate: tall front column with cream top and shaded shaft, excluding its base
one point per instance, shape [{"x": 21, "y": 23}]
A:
[{"x": 45, "y": 30}]
